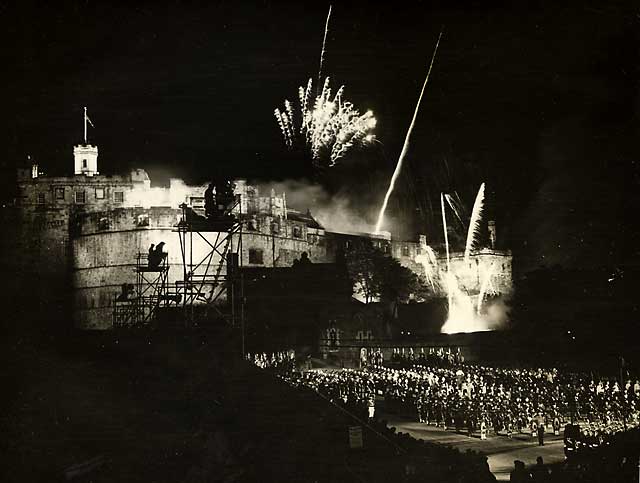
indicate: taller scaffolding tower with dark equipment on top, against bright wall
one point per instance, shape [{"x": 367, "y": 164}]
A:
[{"x": 211, "y": 287}]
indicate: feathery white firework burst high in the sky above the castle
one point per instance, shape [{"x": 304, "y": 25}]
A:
[{"x": 329, "y": 126}]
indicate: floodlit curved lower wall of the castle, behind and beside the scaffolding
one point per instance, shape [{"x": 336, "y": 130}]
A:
[{"x": 106, "y": 243}]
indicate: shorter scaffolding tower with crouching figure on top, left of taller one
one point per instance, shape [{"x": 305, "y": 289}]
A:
[{"x": 138, "y": 305}]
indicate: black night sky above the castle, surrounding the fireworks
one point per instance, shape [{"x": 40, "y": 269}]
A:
[{"x": 541, "y": 103}]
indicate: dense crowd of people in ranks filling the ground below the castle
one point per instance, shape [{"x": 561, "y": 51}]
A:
[{"x": 436, "y": 388}]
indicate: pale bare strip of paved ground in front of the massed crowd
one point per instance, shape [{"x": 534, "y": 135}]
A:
[{"x": 500, "y": 450}]
